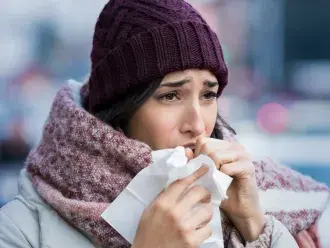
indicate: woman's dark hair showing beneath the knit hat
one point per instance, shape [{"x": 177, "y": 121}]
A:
[{"x": 120, "y": 113}]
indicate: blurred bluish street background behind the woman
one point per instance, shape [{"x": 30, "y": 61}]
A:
[{"x": 278, "y": 54}]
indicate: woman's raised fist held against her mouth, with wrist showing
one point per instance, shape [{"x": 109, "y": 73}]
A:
[{"x": 242, "y": 205}]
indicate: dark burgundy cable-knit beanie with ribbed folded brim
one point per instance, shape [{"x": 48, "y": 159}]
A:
[{"x": 138, "y": 41}]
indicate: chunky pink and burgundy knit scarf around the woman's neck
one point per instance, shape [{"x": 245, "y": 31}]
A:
[{"x": 81, "y": 165}]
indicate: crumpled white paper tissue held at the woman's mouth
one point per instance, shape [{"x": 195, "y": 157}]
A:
[{"x": 168, "y": 165}]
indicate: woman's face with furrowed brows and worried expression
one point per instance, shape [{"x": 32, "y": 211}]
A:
[{"x": 181, "y": 109}]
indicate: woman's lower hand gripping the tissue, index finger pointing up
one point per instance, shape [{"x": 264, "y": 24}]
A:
[{"x": 179, "y": 217}]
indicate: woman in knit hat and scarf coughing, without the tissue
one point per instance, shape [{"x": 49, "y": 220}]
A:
[{"x": 157, "y": 70}]
